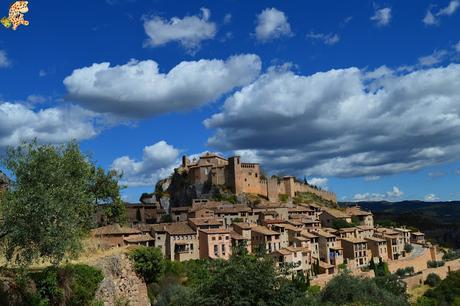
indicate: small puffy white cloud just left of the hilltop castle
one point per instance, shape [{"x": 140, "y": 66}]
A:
[{"x": 158, "y": 161}]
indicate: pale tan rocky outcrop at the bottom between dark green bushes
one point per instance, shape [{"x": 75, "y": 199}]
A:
[{"x": 121, "y": 285}]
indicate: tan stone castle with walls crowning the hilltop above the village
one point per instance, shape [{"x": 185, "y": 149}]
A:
[{"x": 240, "y": 177}]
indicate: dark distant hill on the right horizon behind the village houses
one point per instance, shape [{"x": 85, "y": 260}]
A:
[{"x": 439, "y": 220}]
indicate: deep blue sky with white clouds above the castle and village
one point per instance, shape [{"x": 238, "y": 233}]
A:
[{"x": 362, "y": 97}]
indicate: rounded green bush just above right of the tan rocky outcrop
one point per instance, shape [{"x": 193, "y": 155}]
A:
[{"x": 148, "y": 263}]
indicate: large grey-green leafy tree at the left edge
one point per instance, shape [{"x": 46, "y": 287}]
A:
[{"x": 51, "y": 203}]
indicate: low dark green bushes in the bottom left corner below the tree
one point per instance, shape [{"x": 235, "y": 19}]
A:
[{"x": 72, "y": 285}]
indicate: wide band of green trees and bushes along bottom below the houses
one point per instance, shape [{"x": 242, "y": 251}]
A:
[{"x": 247, "y": 279}]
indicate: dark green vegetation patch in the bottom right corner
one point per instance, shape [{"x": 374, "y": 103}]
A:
[{"x": 446, "y": 292}]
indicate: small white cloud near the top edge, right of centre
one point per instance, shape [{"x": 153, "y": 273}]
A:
[{"x": 271, "y": 24}]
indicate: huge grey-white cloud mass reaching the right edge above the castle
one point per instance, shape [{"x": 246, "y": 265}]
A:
[{"x": 343, "y": 122}]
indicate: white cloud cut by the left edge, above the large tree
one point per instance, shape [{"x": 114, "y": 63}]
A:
[{"x": 51, "y": 125}]
